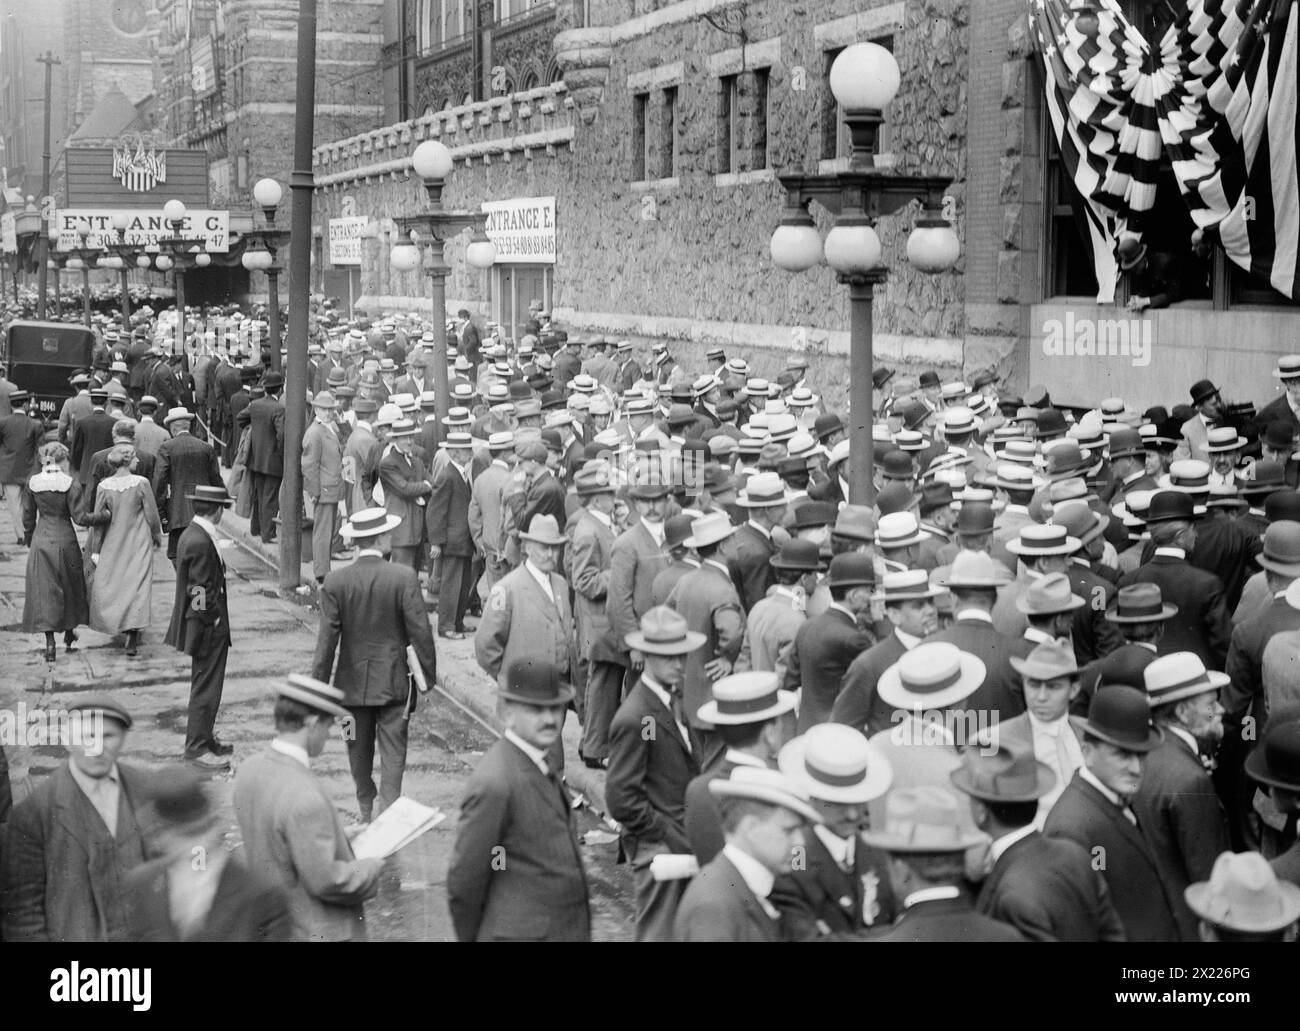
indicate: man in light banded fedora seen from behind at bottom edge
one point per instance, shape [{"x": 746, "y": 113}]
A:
[{"x": 926, "y": 837}]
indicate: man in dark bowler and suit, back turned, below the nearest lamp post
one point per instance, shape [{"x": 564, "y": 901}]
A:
[{"x": 829, "y": 643}]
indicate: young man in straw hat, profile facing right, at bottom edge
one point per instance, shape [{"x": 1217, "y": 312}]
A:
[{"x": 764, "y": 816}]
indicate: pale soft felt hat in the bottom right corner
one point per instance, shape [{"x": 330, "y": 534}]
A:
[{"x": 1245, "y": 895}]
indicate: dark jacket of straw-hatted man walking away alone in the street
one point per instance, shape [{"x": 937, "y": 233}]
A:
[{"x": 371, "y": 610}]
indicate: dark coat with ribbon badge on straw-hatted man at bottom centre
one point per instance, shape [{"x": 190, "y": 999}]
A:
[{"x": 822, "y": 899}]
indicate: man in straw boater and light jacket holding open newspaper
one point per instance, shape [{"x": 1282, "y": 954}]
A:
[{"x": 293, "y": 835}]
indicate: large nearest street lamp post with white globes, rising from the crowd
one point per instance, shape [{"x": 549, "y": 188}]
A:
[{"x": 864, "y": 79}]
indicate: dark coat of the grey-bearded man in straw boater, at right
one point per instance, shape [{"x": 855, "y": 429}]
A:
[{"x": 1181, "y": 815}]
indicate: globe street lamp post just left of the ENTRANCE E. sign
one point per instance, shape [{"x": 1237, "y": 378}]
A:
[{"x": 432, "y": 162}]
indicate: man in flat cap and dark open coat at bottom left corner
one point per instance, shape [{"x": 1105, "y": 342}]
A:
[{"x": 90, "y": 808}]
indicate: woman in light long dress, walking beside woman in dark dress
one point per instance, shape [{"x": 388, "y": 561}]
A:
[{"x": 128, "y": 530}]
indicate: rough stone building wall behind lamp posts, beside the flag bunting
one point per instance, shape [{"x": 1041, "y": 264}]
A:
[{"x": 662, "y": 144}]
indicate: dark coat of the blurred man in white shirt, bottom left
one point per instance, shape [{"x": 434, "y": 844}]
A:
[{"x": 244, "y": 909}]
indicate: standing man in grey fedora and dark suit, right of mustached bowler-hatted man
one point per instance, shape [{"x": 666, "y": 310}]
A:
[{"x": 653, "y": 757}]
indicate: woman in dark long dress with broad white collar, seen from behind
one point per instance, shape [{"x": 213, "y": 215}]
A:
[{"x": 55, "y": 596}]
